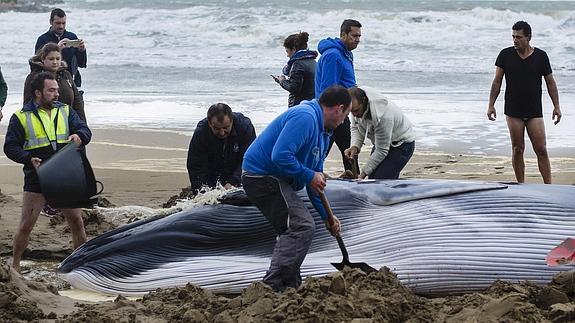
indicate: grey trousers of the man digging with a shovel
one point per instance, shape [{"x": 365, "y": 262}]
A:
[{"x": 292, "y": 221}]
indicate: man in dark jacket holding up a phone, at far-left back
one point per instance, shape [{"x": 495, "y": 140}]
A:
[{"x": 73, "y": 49}]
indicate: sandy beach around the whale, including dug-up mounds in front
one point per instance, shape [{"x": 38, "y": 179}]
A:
[{"x": 146, "y": 168}]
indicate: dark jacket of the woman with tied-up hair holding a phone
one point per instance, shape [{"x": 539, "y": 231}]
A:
[{"x": 301, "y": 81}]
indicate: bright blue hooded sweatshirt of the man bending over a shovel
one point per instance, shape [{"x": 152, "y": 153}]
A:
[{"x": 292, "y": 147}]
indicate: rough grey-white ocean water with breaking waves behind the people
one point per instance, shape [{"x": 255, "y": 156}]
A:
[{"x": 160, "y": 64}]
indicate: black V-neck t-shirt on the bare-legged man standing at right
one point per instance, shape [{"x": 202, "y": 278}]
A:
[{"x": 523, "y": 81}]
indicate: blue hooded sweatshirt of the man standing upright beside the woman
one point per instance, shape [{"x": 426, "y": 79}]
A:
[{"x": 335, "y": 66}]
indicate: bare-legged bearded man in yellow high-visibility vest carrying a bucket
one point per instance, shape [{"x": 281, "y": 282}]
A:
[{"x": 37, "y": 131}]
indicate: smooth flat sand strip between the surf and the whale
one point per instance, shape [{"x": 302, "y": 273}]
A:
[{"x": 156, "y": 159}]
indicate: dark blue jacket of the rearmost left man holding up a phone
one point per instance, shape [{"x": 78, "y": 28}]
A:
[{"x": 74, "y": 57}]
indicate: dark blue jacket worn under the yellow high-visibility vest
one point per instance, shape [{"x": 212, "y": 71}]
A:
[{"x": 16, "y": 136}]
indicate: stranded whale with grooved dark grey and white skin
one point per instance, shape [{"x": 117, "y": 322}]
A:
[{"x": 438, "y": 236}]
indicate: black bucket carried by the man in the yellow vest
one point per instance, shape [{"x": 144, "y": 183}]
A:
[{"x": 67, "y": 179}]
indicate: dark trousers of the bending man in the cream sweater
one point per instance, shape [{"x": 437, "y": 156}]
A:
[{"x": 396, "y": 159}]
